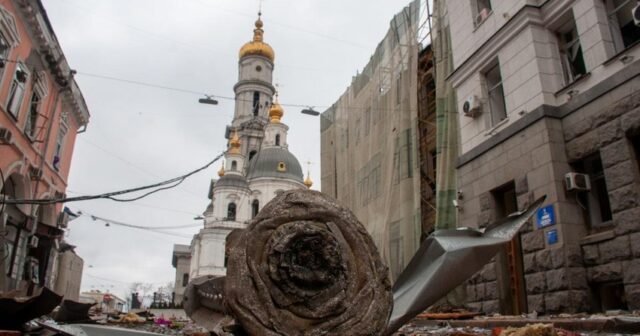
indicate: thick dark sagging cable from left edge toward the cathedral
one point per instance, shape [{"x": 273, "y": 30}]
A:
[{"x": 171, "y": 183}]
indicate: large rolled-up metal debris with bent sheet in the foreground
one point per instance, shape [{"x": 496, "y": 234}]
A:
[{"x": 307, "y": 266}]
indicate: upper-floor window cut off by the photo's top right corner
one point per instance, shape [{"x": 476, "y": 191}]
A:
[{"x": 623, "y": 29}]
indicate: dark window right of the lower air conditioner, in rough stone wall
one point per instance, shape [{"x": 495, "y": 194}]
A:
[{"x": 595, "y": 203}]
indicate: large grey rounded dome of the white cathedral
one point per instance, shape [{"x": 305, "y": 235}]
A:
[{"x": 267, "y": 163}]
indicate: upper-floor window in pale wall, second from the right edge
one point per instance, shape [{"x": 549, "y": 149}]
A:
[{"x": 573, "y": 65}]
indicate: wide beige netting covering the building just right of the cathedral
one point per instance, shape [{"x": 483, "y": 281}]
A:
[{"x": 369, "y": 150}]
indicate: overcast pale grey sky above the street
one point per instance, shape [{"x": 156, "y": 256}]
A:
[{"x": 141, "y": 134}]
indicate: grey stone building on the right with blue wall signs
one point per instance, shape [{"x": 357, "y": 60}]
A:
[{"x": 549, "y": 97}]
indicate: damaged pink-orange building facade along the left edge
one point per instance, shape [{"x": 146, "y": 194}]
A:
[{"x": 42, "y": 110}]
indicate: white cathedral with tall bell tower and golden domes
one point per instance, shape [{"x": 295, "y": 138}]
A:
[{"x": 257, "y": 166}]
